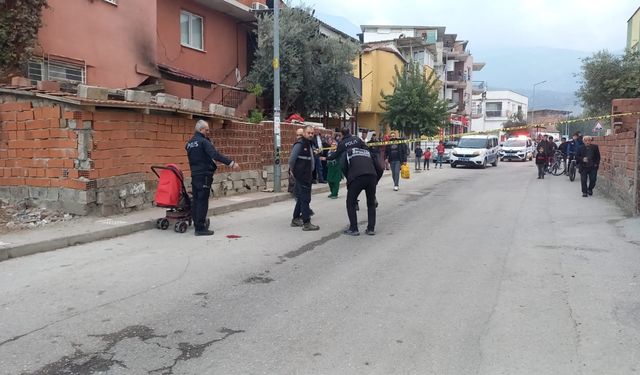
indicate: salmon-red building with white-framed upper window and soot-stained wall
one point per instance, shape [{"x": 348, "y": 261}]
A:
[{"x": 196, "y": 49}]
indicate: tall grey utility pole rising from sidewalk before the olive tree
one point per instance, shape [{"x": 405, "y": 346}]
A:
[{"x": 277, "y": 171}]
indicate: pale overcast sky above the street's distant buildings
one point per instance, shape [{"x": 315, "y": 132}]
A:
[{"x": 487, "y": 24}]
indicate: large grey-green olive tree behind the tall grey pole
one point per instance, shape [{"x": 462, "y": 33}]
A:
[{"x": 312, "y": 67}]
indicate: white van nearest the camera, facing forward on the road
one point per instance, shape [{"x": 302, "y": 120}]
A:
[{"x": 476, "y": 151}]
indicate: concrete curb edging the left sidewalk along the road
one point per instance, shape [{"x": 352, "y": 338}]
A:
[{"x": 104, "y": 234}]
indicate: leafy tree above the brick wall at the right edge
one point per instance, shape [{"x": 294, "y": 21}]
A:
[{"x": 605, "y": 77}]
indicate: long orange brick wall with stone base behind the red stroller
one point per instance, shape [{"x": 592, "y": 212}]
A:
[{"x": 99, "y": 161}]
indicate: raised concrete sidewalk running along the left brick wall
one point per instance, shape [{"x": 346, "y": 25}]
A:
[{"x": 89, "y": 229}]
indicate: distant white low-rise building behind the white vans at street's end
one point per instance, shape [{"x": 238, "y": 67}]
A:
[{"x": 491, "y": 109}]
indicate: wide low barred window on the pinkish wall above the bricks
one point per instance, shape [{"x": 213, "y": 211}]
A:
[{"x": 55, "y": 70}]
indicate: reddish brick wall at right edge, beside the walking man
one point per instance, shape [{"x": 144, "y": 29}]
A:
[{"x": 618, "y": 174}]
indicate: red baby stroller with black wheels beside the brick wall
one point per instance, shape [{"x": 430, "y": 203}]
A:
[{"x": 172, "y": 194}]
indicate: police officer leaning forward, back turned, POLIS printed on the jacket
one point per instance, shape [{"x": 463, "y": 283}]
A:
[{"x": 363, "y": 173}]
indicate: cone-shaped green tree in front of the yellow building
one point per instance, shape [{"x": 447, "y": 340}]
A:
[{"x": 414, "y": 107}]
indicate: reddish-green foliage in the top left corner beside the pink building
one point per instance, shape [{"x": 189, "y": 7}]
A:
[{"x": 20, "y": 21}]
